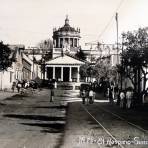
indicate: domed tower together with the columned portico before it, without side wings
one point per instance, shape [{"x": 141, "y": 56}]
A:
[{"x": 64, "y": 66}]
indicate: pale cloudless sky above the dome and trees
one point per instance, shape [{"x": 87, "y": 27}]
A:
[{"x": 30, "y": 21}]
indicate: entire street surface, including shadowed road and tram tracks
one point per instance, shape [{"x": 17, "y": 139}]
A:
[{"x": 34, "y": 122}]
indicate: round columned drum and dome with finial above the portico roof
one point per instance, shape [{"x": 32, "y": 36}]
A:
[{"x": 65, "y": 39}]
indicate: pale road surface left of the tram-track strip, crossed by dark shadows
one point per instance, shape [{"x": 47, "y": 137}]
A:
[{"x": 31, "y": 122}]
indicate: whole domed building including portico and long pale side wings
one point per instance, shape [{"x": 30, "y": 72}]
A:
[{"x": 63, "y": 65}]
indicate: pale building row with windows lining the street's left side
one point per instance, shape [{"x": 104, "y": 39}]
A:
[{"x": 20, "y": 70}]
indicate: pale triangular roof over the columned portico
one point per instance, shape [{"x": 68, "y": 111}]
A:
[{"x": 65, "y": 60}]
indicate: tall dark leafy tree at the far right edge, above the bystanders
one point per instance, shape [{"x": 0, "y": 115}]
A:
[{"x": 134, "y": 59}]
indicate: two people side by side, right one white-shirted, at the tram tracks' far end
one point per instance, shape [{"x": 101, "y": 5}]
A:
[{"x": 88, "y": 96}]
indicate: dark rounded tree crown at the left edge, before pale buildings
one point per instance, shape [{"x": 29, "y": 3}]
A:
[{"x": 6, "y": 57}]
